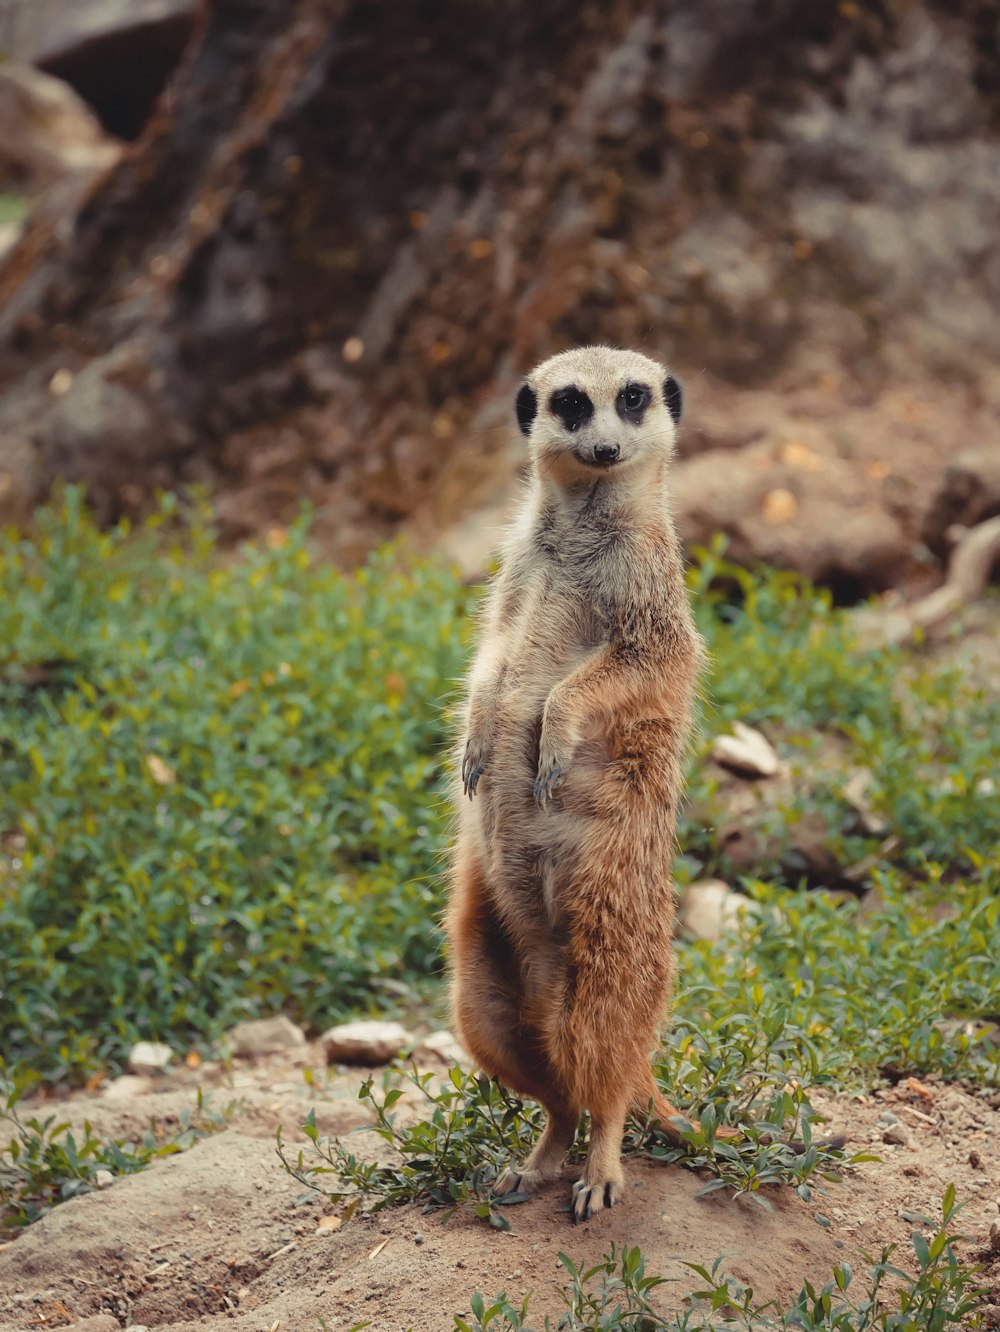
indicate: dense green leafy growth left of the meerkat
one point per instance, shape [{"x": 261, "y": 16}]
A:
[{"x": 219, "y": 779}]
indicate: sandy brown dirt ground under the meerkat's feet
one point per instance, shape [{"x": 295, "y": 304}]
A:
[{"x": 220, "y": 1237}]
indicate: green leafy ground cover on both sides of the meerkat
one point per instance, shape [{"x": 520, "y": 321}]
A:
[{"x": 222, "y": 796}]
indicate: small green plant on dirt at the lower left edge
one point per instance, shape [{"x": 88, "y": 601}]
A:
[{"x": 46, "y": 1164}]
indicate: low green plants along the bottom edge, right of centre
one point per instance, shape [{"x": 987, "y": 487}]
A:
[{"x": 617, "y": 1294}]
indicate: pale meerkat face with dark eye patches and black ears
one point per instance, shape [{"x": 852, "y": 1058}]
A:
[{"x": 599, "y": 411}]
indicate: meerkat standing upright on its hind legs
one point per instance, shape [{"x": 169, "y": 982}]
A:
[{"x": 569, "y": 771}]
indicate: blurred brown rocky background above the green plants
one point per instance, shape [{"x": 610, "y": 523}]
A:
[{"x": 306, "y": 248}]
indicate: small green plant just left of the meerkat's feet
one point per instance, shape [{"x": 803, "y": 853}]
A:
[{"x": 449, "y": 1160}]
